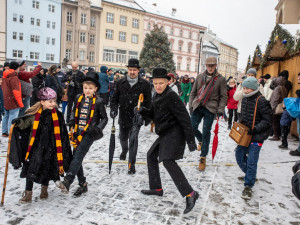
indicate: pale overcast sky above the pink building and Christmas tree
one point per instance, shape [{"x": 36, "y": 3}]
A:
[{"x": 241, "y": 23}]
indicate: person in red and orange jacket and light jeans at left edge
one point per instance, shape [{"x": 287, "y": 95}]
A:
[{"x": 12, "y": 94}]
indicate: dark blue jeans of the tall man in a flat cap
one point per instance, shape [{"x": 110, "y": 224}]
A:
[{"x": 204, "y": 137}]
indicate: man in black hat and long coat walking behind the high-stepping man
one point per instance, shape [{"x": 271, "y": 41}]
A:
[{"x": 125, "y": 98}]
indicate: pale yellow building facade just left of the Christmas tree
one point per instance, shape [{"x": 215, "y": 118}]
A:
[{"x": 121, "y": 33}]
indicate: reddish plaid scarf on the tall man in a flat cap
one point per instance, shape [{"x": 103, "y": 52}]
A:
[{"x": 206, "y": 88}]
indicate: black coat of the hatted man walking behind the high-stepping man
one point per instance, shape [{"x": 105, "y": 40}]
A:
[{"x": 126, "y": 98}]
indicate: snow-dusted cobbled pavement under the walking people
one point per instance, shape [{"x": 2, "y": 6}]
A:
[{"x": 116, "y": 199}]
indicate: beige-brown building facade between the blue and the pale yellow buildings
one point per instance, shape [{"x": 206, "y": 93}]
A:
[{"x": 80, "y": 33}]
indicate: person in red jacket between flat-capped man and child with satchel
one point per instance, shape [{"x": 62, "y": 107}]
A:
[{"x": 231, "y": 103}]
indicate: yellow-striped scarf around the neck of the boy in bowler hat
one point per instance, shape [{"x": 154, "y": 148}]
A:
[{"x": 76, "y": 142}]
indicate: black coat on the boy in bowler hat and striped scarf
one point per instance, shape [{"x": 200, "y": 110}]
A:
[{"x": 99, "y": 119}]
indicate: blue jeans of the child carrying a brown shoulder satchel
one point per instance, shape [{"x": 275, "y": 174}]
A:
[{"x": 248, "y": 164}]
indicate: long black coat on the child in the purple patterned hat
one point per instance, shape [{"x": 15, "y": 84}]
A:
[{"x": 42, "y": 164}]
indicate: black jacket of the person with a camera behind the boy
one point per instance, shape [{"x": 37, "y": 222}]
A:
[{"x": 75, "y": 80}]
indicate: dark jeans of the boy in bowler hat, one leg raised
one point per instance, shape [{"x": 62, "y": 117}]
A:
[{"x": 76, "y": 164}]
